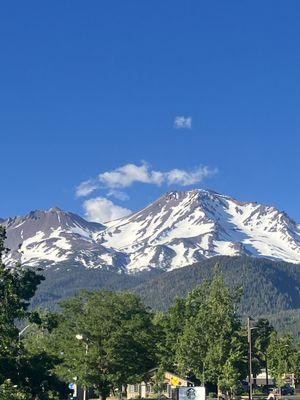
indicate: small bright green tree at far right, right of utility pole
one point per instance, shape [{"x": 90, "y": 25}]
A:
[{"x": 282, "y": 356}]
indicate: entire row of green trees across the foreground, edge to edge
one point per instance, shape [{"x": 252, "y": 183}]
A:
[{"x": 105, "y": 340}]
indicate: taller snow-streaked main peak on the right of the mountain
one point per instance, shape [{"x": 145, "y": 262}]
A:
[{"x": 181, "y": 228}]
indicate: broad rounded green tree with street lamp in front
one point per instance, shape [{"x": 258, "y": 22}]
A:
[{"x": 116, "y": 340}]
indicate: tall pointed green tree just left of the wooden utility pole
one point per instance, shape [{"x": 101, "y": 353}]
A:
[{"x": 212, "y": 342}]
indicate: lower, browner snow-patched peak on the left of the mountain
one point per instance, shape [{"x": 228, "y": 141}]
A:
[{"x": 53, "y": 236}]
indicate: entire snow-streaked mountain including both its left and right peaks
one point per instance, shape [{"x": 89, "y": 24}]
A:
[{"x": 178, "y": 229}]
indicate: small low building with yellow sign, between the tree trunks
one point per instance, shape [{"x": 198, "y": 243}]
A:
[{"x": 147, "y": 388}]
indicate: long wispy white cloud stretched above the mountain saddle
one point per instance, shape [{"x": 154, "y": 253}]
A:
[{"x": 129, "y": 174}]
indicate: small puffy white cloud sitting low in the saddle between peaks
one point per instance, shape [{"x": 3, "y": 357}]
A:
[{"x": 103, "y": 210}]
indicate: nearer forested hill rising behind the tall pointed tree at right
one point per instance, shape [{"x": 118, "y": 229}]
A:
[{"x": 268, "y": 286}]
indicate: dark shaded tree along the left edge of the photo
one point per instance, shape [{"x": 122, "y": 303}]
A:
[{"x": 22, "y": 374}]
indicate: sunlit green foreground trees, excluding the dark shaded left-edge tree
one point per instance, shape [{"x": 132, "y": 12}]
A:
[{"x": 200, "y": 336}]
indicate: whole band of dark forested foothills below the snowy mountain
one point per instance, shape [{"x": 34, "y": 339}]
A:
[{"x": 269, "y": 287}]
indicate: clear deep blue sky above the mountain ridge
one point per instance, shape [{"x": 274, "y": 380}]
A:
[{"x": 90, "y": 87}]
